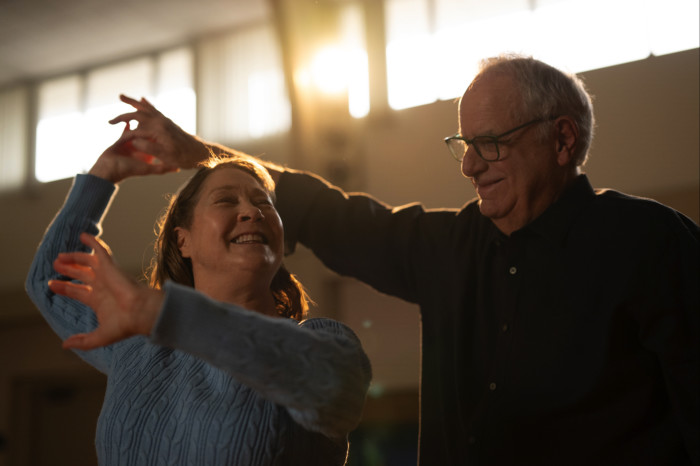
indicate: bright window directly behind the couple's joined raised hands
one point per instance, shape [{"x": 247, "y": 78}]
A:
[{"x": 73, "y": 110}]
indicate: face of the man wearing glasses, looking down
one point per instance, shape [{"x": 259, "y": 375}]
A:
[{"x": 518, "y": 187}]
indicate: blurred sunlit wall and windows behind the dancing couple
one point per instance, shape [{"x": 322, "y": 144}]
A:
[{"x": 361, "y": 92}]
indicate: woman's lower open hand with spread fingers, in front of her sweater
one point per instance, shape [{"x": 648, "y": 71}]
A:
[{"x": 123, "y": 307}]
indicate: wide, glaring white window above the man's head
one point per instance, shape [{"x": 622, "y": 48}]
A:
[{"x": 434, "y": 46}]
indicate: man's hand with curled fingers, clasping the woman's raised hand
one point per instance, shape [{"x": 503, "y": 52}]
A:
[{"x": 158, "y": 136}]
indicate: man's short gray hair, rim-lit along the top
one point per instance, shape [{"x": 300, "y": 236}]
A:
[{"x": 547, "y": 92}]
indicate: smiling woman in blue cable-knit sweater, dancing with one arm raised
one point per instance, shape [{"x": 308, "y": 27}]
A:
[{"x": 213, "y": 364}]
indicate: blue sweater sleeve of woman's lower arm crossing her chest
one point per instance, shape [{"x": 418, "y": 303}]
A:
[{"x": 316, "y": 370}]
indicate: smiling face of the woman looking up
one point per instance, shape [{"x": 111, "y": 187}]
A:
[{"x": 235, "y": 229}]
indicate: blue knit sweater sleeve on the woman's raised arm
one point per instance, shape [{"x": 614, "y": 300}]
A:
[{"x": 82, "y": 211}]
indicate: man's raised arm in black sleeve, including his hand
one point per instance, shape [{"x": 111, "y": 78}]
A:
[{"x": 353, "y": 234}]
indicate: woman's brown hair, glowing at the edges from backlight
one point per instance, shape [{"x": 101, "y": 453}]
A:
[{"x": 168, "y": 264}]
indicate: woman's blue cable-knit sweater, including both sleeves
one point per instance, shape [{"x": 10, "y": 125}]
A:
[{"x": 214, "y": 384}]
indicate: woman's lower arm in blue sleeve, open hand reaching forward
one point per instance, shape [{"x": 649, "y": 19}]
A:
[{"x": 317, "y": 370}]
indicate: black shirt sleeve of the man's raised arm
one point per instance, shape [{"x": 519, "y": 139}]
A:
[{"x": 356, "y": 235}]
